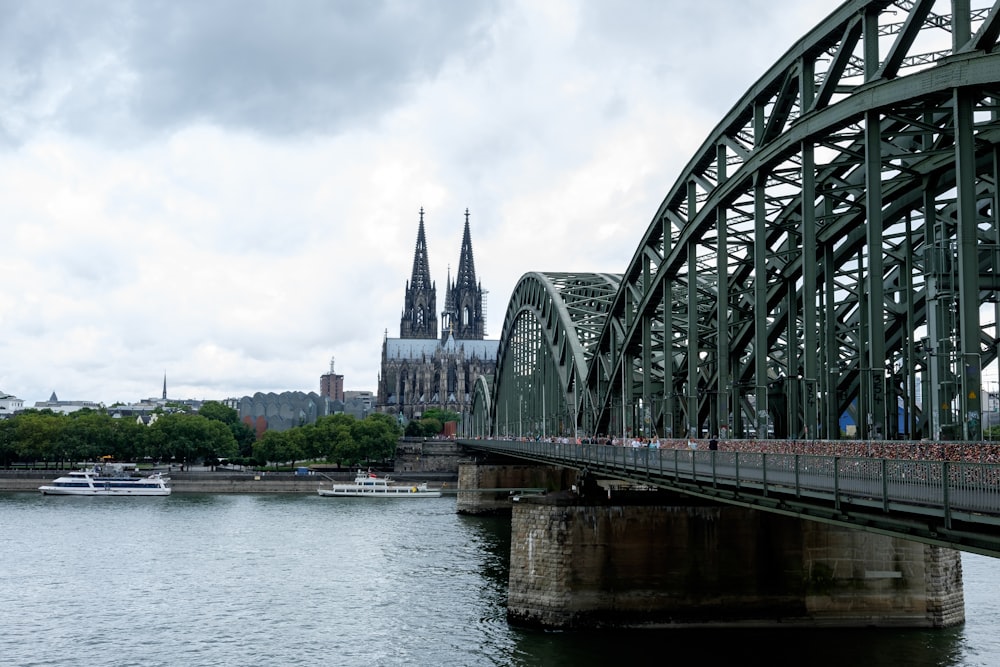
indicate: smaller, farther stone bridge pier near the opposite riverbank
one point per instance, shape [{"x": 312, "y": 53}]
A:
[{"x": 486, "y": 488}]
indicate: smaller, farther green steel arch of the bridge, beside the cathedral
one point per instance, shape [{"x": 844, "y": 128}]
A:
[{"x": 552, "y": 324}]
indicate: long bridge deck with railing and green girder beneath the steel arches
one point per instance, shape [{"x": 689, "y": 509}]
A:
[{"x": 953, "y": 504}]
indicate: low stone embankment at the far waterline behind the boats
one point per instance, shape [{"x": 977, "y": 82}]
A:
[{"x": 226, "y": 481}]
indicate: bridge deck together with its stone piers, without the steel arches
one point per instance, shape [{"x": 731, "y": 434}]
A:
[{"x": 640, "y": 536}]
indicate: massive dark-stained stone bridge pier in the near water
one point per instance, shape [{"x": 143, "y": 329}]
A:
[{"x": 629, "y": 564}]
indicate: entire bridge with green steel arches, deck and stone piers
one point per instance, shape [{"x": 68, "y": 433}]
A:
[{"x": 828, "y": 261}]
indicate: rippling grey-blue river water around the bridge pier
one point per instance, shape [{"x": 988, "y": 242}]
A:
[{"x": 301, "y": 580}]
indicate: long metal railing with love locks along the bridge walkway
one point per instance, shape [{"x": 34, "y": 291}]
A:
[{"x": 951, "y": 488}]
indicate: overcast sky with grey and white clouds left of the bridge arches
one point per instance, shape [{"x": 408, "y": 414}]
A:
[{"x": 227, "y": 192}]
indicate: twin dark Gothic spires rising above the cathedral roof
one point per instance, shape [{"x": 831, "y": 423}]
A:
[{"x": 463, "y": 316}]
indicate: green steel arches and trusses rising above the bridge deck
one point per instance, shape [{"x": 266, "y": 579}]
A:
[{"x": 832, "y": 247}]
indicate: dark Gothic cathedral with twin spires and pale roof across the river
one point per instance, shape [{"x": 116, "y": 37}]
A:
[{"x": 422, "y": 369}]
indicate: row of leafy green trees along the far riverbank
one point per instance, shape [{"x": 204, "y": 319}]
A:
[{"x": 215, "y": 432}]
